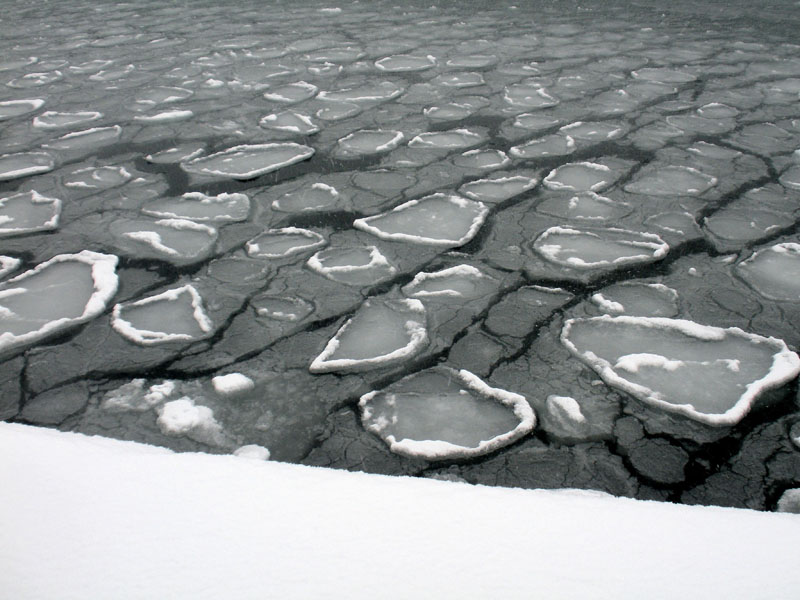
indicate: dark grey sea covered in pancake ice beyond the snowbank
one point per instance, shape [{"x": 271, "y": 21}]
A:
[{"x": 551, "y": 245}]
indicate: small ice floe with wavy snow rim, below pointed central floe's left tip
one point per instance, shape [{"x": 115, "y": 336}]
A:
[{"x": 360, "y": 265}]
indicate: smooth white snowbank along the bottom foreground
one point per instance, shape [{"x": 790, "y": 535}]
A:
[{"x": 86, "y": 517}]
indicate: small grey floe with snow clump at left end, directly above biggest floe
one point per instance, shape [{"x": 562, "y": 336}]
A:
[{"x": 637, "y": 299}]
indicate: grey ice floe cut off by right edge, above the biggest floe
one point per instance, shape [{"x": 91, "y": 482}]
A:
[{"x": 774, "y": 272}]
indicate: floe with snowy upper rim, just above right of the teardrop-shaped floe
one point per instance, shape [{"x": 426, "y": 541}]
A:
[{"x": 463, "y": 282}]
